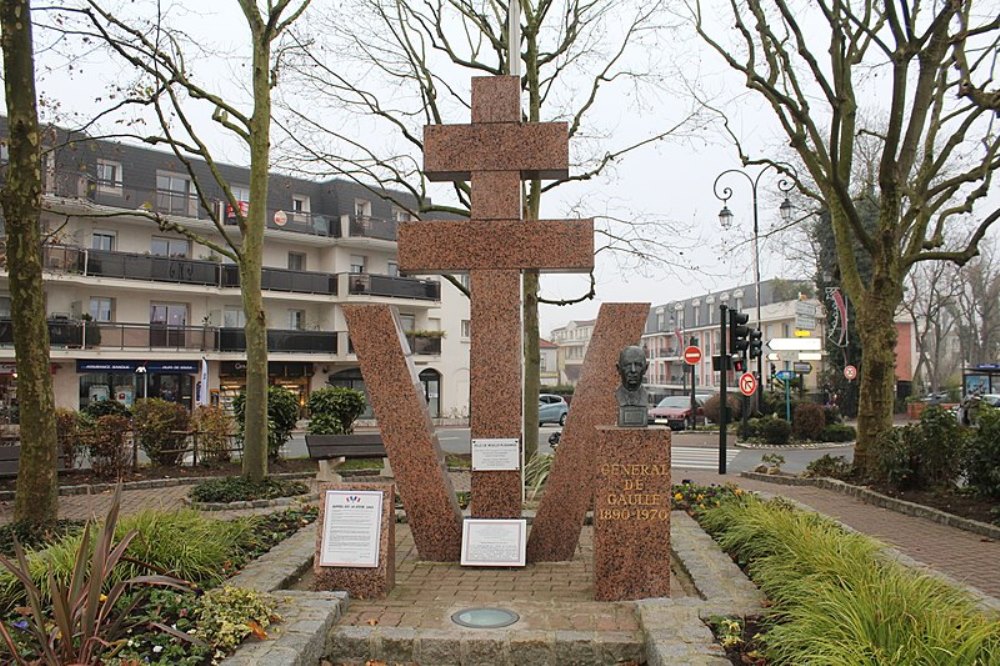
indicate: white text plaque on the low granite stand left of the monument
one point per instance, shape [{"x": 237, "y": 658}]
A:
[{"x": 352, "y": 527}]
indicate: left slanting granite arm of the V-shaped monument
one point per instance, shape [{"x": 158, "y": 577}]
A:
[{"x": 407, "y": 432}]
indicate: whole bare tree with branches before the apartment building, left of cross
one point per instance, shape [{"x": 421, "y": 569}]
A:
[{"x": 167, "y": 86}]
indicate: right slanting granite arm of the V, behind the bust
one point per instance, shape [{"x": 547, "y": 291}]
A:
[{"x": 569, "y": 490}]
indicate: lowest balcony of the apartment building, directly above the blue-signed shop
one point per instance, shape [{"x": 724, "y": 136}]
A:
[{"x": 78, "y": 334}]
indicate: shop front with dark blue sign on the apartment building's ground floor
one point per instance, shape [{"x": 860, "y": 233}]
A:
[{"x": 128, "y": 381}]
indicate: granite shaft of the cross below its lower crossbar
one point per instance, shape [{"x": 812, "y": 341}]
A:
[{"x": 495, "y": 410}]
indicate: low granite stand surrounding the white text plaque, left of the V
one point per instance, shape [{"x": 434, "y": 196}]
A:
[{"x": 361, "y": 582}]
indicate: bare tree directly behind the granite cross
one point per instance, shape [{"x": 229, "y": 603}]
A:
[{"x": 400, "y": 65}]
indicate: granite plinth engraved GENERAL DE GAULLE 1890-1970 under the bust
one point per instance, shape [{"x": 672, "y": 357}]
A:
[{"x": 632, "y": 514}]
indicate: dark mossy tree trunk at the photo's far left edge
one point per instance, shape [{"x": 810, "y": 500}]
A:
[{"x": 37, "y": 496}]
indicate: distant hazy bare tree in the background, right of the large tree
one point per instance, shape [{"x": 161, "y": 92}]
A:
[{"x": 929, "y": 301}]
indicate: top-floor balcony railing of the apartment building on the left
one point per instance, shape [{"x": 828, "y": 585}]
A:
[{"x": 74, "y": 185}]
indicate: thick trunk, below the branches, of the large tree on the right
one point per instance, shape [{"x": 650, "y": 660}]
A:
[{"x": 877, "y": 332}]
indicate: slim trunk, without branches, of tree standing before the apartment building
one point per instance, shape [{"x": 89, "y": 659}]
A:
[{"x": 255, "y": 417}]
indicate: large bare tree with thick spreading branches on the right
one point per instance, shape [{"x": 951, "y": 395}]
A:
[{"x": 885, "y": 70}]
